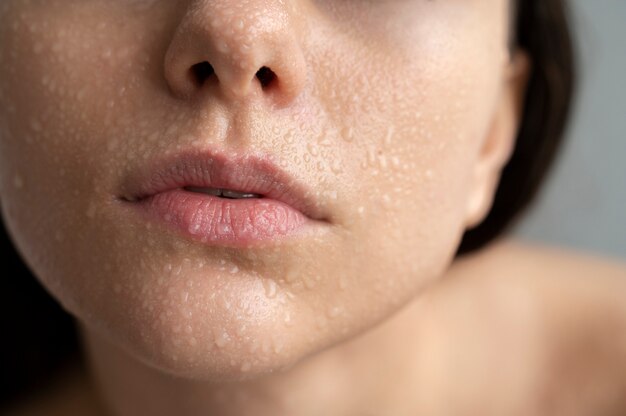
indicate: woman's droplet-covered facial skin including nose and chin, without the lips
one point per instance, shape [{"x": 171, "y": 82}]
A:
[{"x": 395, "y": 115}]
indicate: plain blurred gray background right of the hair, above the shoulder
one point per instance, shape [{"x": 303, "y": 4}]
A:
[{"x": 583, "y": 203}]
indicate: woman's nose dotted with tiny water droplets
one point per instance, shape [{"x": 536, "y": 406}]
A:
[{"x": 241, "y": 49}]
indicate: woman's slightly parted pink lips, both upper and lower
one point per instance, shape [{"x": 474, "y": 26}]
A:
[{"x": 181, "y": 190}]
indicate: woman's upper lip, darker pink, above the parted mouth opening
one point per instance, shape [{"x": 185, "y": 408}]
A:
[{"x": 213, "y": 169}]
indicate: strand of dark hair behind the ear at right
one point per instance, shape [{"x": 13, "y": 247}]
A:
[{"x": 542, "y": 30}]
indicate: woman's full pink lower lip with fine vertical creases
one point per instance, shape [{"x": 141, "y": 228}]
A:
[{"x": 235, "y": 222}]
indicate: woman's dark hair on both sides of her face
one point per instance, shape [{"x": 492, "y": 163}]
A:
[{"x": 28, "y": 358}]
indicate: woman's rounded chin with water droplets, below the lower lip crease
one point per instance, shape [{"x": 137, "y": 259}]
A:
[{"x": 232, "y": 332}]
